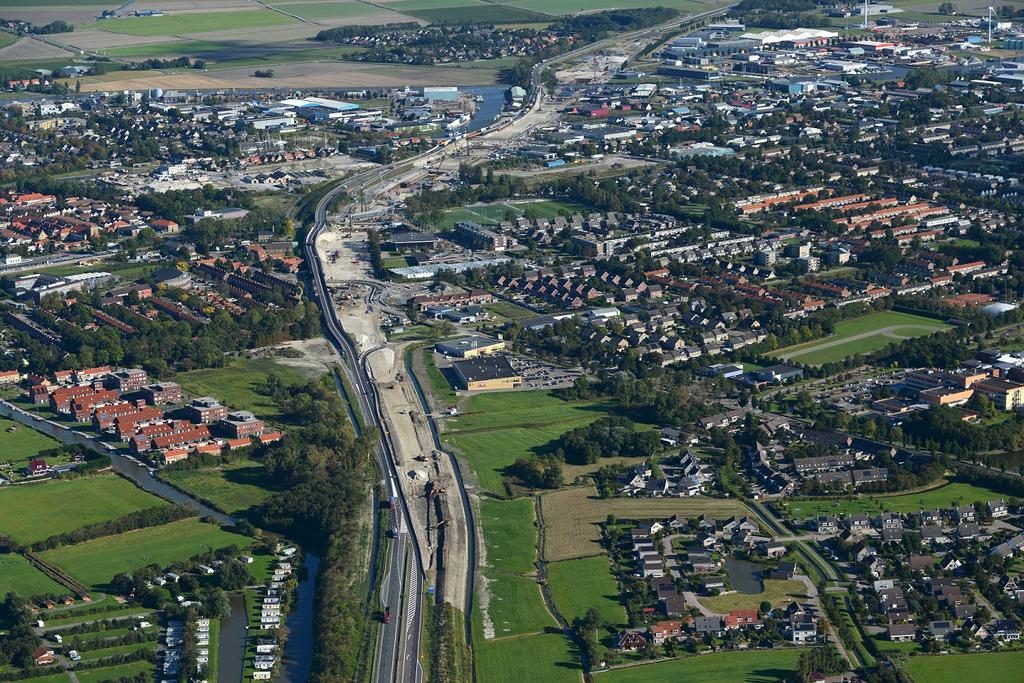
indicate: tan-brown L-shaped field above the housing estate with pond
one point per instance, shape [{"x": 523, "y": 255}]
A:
[{"x": 572, "y": 517}]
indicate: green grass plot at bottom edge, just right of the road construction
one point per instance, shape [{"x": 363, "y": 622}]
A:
[{"x": 540, "y": 659}]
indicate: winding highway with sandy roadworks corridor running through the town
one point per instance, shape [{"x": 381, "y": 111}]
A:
[{"x": 434, "y": 554}]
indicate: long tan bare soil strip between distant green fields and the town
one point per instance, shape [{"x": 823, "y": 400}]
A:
[{"x": 304, "y": 76}]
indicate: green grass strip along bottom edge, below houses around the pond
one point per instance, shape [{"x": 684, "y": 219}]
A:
[{"x": 761, "y": 667}]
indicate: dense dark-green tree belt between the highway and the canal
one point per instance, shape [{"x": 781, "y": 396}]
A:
[{"x": 325, "y": 473}]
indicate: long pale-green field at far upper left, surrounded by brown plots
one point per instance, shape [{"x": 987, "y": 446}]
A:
[{"x": 186, "y": 23}]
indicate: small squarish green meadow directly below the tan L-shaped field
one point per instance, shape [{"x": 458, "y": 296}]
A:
[{"x": 579, "y": 585}]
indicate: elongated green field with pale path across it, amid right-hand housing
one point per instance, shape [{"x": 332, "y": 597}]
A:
[{"x": 862, "y": 335}]
